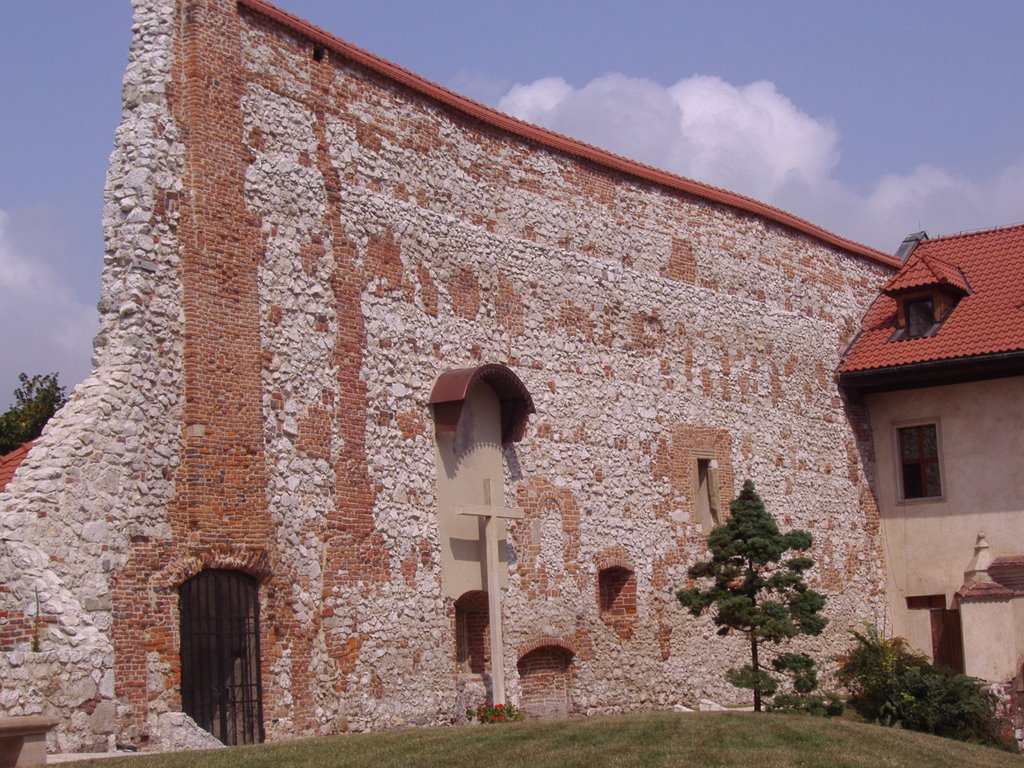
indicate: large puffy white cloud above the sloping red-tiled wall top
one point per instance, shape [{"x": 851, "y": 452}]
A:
[{"x": 754, "y": 141}]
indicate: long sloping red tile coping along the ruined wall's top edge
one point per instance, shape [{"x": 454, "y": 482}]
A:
[{"x": 556, "y": 141}]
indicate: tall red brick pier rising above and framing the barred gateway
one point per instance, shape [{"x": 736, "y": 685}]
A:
[{"x": 219, "y": 516}]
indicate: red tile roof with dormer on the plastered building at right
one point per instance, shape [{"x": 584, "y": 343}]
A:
[{"x": 989, "y": 321}]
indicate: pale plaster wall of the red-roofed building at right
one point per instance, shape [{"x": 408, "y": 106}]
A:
[{"x": 930, "y": 542}]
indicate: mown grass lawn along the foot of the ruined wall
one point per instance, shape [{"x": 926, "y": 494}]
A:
[{"x": 744, "y": 741}]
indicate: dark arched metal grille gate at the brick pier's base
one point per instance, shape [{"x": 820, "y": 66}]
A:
[{"x": 221, "y": 666}]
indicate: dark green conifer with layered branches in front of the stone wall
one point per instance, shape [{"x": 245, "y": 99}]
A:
[{"x": 756, "y": 592}]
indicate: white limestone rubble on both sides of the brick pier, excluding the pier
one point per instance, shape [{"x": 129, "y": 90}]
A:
[{"x": 506, "y": 253}]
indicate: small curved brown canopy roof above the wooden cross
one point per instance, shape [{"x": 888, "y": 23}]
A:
[{"x": 452, "y": 389}]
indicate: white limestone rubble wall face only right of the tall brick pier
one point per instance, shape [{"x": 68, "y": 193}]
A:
[{"x": 749, "y": 350}]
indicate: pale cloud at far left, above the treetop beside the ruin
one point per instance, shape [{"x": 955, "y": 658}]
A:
[{"x": 46, "y": 328}]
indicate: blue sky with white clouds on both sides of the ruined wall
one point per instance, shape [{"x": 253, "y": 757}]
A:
[{"x": 873, "y": 119}]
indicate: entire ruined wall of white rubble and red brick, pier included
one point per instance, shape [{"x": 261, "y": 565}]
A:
[{"x": 297, "y": 247}]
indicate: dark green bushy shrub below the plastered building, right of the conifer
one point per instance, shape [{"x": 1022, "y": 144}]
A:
[{"x": 891, "y": 685}]
